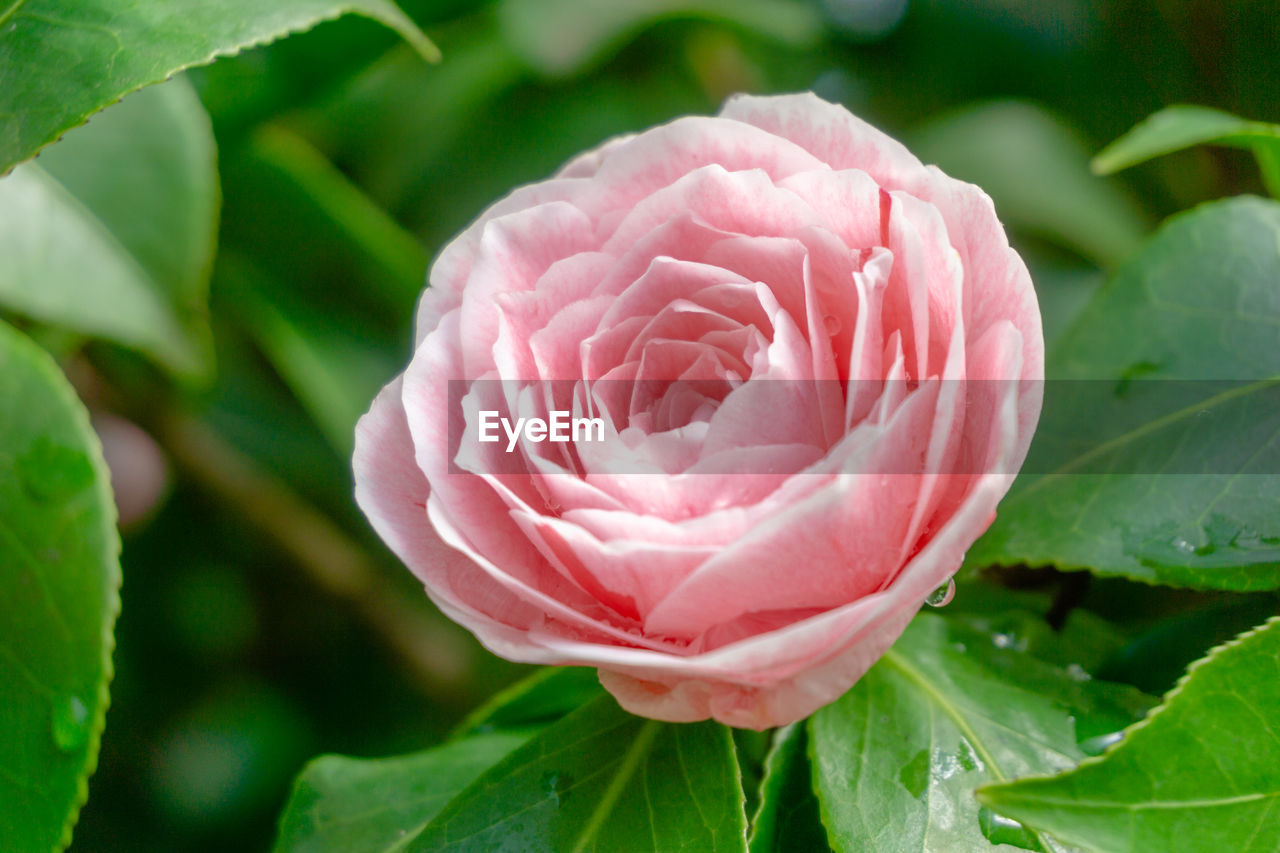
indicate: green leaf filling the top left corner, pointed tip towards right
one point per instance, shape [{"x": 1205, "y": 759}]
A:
[{"x": 66, "y": 61}]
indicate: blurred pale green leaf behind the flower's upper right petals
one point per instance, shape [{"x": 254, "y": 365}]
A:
[{"x": 1036, "y": 168}]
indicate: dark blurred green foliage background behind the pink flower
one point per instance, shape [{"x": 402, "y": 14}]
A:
[{"x": 263, "y": 623}]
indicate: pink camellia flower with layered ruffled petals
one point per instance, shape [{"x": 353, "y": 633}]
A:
[{"x": 807, "y": 370}]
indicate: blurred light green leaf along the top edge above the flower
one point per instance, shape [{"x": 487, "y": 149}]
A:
[{"x": 563, "y": 38}]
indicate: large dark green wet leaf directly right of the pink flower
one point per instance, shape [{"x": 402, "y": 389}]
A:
[{"x": 1158, "y": 455}]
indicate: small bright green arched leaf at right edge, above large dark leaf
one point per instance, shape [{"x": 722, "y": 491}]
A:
[{"x": 1185, "y": 126}]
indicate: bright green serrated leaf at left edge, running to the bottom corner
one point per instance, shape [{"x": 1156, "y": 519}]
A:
[{"x": 60, "y": 596}]
